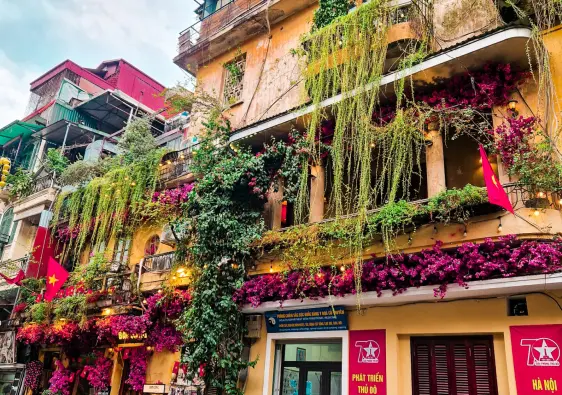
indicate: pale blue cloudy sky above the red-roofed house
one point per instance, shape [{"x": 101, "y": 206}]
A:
[{"x": 36, "y": 35}]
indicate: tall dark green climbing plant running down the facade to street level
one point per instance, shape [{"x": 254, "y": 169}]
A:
[{"x": 222, "y": 218}]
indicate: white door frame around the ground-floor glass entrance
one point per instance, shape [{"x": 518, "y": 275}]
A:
[{"x": 304, "y": 336}]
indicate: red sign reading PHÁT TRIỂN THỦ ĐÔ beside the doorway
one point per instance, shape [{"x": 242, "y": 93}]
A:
[{"x": 367, "y": 362}]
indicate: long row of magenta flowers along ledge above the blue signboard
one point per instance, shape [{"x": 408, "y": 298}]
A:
[{"x": 436, "y": 266}]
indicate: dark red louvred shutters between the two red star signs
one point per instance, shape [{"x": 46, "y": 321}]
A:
[{"x": 453, "y": 366}]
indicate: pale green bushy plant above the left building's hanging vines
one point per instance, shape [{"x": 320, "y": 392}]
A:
[{"x": 137, "y": 143}]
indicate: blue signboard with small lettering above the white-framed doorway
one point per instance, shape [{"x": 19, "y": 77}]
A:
[{"x": 307, "y": 320}]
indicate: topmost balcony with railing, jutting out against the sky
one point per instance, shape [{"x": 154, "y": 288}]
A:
[{"x": 229, "y": 26}]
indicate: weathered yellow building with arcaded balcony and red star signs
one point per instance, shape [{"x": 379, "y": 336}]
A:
[{"x": 446, "y": 304}]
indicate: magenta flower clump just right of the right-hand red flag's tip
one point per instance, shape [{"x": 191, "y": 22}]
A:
[{"x": 512, "y": 138}]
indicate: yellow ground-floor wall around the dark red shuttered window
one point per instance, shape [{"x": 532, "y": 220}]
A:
[{"x": 470, "y": 317}]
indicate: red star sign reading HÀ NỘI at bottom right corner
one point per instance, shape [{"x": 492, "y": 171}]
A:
[{"x": 536, "y": 358}]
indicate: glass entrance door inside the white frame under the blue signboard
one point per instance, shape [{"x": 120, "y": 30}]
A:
[{"x": 309, "y": 368}]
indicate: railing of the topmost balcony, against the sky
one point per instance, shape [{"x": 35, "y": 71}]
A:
[{"x": 198, "y": 34}]
